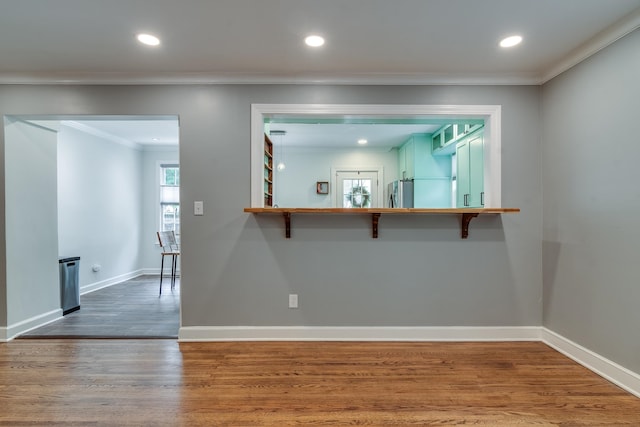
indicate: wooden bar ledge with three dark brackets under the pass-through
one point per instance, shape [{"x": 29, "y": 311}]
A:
[{"x": 466, "y": 214}]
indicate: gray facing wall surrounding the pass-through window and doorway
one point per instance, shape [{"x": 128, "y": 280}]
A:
[{"x": 237, "y": 269}]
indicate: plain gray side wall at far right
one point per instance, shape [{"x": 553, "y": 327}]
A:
[{"x": 591, "y": 197}]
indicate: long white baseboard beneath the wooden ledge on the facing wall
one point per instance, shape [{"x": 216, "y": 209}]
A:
[{"x": 304, "y": 333}]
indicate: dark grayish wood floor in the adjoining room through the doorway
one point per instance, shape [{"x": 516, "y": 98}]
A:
[{"x": 130, "y": 309}]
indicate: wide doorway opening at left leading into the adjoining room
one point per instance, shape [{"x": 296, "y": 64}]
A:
[{"x": 89, "y": 187}]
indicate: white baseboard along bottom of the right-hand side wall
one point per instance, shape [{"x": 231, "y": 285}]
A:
[{"x": 619, "y": 375}]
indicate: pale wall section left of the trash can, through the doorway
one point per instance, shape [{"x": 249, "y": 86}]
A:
[{"x": 31, "y": 216}]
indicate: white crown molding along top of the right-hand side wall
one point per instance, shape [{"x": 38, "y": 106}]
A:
[{"x": 610, "y": 35}]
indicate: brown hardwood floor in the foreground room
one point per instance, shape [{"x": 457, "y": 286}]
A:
[{"x": 161, "y": 382}]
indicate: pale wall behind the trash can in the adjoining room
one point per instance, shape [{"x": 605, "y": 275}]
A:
[{"x": 99, "y": 204}]
